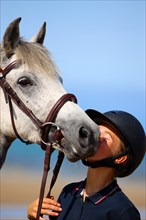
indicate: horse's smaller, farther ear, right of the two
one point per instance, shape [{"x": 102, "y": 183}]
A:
[{"x": 39, "y": 37}]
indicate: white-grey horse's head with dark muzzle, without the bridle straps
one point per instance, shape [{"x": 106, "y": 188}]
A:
[{"x": 37, "y": 83}]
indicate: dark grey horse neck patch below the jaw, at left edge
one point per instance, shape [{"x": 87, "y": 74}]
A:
[{"x": 5, "y": 143}]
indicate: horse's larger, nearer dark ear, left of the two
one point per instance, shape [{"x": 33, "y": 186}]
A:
[{"x": 11, "y": 37}]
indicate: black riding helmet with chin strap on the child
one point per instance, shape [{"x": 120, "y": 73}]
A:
[{"x": 130, "y": 131}]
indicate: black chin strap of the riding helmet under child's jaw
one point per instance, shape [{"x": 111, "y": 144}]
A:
[{"x": 107, "y": 162}]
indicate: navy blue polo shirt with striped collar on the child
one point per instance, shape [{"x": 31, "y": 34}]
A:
[{"x": 108, "y": 204}]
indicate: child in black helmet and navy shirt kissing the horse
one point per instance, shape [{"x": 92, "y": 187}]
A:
[{"x": 120, "y": 151}]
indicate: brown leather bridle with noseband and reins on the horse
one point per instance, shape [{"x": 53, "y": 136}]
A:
[{"x": 46, "y": 144}]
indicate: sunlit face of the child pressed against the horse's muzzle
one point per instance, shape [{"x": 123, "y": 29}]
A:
[{"x": 109, "y": 144}]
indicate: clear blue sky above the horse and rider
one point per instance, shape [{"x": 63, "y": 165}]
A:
[{"x": 98, "y": 46}]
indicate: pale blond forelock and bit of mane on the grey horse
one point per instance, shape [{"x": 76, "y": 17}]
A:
[{"x": 35, "y": 56}]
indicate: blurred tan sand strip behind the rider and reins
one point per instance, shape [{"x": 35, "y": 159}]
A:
[{"x": 22, "y": 187}]
